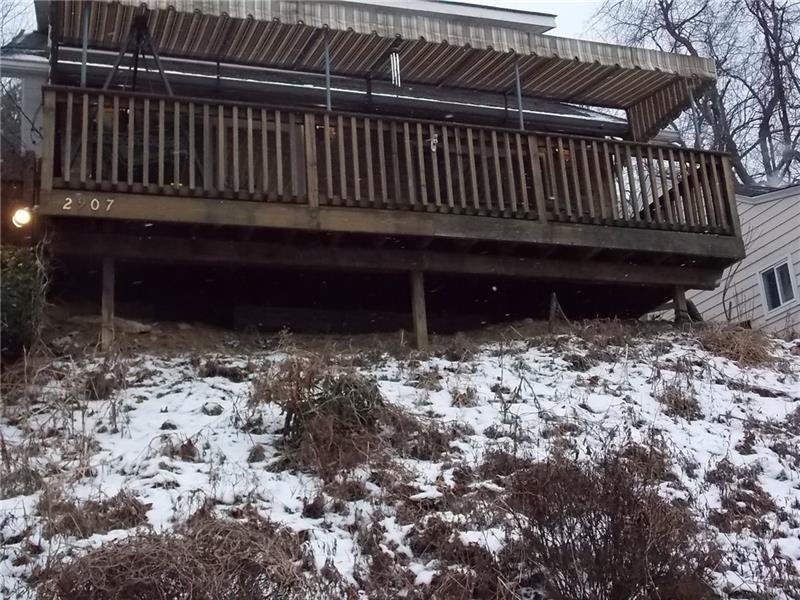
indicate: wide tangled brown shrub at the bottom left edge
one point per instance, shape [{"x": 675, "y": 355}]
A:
[{"x": 209, "y": 558}]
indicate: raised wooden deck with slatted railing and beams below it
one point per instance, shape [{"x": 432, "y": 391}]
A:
[{"x": 658, "y": 214}]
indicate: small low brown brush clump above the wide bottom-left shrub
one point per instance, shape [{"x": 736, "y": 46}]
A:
[{"x": 66, "y": 516}]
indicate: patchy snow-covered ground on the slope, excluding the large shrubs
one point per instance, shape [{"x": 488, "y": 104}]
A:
[{"x": 174, "y": 439}]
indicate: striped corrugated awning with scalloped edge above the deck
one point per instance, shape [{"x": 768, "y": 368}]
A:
[{"x": 435, "y": 48}]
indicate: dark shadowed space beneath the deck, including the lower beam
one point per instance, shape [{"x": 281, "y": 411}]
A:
[{"x": 269, "y": 279}]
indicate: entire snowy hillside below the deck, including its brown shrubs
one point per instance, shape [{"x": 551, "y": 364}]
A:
[{"x": 419, "y": 496}]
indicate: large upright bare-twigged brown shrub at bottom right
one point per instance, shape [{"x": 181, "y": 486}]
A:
[{"x": 601, "y": 530}]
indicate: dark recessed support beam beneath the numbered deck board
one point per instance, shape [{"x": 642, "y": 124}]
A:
[{"x": 175, "y": 249}]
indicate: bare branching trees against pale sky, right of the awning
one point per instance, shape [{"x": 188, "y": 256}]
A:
[{"x": 754, "y": 111}]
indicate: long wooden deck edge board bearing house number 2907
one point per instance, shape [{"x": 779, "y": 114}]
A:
[{"x": 176, "y": 209}]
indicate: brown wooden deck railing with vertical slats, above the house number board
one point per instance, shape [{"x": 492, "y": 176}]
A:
[{"x": 136, "y": 143}]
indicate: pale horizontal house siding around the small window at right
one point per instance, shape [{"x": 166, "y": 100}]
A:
[{"x": 771, "y": 232}]
